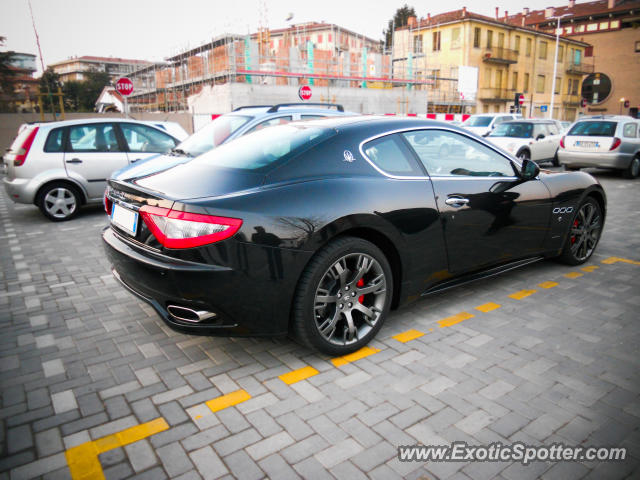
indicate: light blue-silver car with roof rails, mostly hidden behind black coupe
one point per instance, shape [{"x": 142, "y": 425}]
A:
[{"x": 241, "y": 121}]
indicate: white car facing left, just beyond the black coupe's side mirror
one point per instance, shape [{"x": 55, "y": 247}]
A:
[{"x": 532, "y": 139}]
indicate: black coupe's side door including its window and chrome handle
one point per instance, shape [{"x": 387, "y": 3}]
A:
[{"x": 489, "y": 214}]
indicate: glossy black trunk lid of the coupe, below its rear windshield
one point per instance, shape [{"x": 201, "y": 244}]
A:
[{"x": 197, "y": 180}]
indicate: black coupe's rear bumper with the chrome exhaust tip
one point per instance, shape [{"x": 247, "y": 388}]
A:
[{"x": 244, "y": 304}]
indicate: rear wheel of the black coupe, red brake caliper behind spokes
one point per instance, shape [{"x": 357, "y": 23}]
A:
[{"x": 328, "y": 314}]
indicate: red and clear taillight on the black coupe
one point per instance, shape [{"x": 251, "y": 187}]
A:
[{"x": 175, "y": 229}]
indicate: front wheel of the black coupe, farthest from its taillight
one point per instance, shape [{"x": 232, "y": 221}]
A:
[{"x": 584, "y": 233}]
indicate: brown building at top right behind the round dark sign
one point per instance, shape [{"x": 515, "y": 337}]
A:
[{"x": 611, "y": 28}]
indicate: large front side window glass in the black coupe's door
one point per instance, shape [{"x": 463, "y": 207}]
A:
[{"x": 446, "y": 154}]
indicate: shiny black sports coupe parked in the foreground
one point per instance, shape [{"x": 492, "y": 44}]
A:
[{"x": 319, "y": 228}]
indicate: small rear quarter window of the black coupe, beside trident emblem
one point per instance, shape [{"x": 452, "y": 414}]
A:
[{"x": 391, "y": 154}]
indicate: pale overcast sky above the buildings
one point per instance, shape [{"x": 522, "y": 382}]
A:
[{"x": 156, "y": 29}]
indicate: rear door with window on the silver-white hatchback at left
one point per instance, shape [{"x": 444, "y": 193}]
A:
[{"x": 92, "y": 153}]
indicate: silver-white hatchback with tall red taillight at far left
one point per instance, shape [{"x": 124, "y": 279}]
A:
[{"x": 60, "y": 166}]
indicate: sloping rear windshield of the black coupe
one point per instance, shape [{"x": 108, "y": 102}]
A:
[{"x": 265, "y": 149}]
